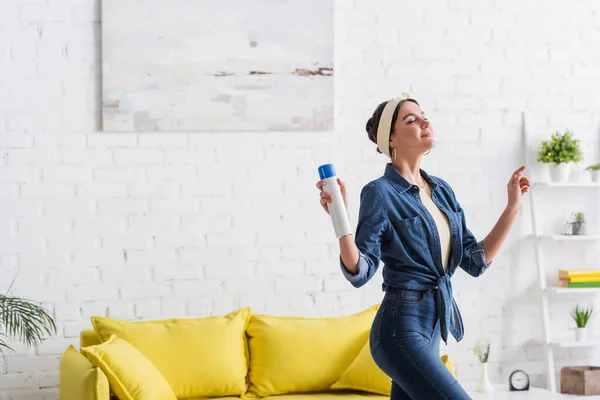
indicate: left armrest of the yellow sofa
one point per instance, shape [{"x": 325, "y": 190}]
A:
[{"x": 80, "y": 380}]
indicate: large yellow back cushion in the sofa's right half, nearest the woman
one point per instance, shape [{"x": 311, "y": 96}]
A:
[{"x": 291, "y": 354}]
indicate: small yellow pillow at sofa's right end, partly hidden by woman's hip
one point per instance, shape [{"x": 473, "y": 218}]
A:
[{"x": 364, "y": 375}]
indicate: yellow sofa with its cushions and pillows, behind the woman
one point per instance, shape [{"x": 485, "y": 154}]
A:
[{"x": 240, "y": 355}]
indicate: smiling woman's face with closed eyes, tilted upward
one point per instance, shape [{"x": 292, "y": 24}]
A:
[{"x": 412, "y": 131}]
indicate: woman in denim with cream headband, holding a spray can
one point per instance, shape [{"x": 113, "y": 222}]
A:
[{"x": 412, "y": 222}]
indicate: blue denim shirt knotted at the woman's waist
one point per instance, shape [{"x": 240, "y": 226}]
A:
[{"x": 395, "y": 227}]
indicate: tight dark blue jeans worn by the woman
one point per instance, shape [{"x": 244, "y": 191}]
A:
[{"x": 405, "y": 343}]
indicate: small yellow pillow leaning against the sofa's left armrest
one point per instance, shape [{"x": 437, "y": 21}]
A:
[{"x": 130, "y": 374}]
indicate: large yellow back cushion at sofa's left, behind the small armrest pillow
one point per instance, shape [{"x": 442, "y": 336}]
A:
[{"x": 199, "y": 357}]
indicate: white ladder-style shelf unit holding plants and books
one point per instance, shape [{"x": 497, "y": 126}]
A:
[{"x": 547, "y": 292}]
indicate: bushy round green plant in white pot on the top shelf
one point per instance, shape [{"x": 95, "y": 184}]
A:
[{"x": 560, "y": 151}]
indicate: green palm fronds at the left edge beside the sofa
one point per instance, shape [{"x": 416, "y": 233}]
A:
[{"x": 23, "y": 320}]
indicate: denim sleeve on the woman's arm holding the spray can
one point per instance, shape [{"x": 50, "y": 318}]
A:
[{"x": 372, "y": 222}]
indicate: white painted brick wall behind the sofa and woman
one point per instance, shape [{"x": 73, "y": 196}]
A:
[{"x": 159, "y": 225}]
